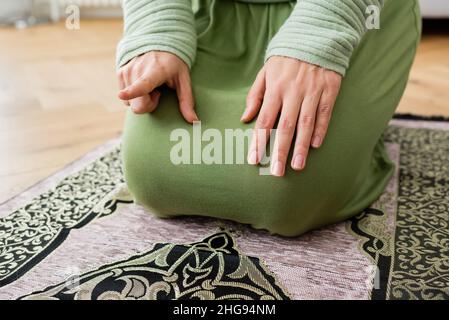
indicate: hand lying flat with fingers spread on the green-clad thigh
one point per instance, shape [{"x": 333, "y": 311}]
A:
[{"x": 302, "y": 95}]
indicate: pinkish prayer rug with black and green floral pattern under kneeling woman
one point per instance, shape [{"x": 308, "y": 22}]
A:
[{"x": 77, "y": 235}]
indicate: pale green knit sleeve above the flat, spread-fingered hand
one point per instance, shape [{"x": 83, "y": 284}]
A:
[{"x": 323, "y": 32}]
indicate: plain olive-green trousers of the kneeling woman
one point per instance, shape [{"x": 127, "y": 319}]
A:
[{"x": 343, "y": 177}]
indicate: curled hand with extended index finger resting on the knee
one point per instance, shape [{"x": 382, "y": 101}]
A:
[{"x": 140, "y": 78}]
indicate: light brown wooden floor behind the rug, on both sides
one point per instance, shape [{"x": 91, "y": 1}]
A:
[{"x": 58, "y": 95}]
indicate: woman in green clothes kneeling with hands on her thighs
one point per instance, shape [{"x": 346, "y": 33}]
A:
[{"x": 273, "y": 65}]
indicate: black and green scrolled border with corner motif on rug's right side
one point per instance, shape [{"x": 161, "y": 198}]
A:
[{"x": 413, "y": 257}]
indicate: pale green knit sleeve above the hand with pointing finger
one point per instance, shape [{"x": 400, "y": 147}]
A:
[{"x": 157, "y": 25}]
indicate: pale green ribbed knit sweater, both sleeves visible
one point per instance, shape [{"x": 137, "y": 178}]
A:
[{"x": 320, "y": 32}]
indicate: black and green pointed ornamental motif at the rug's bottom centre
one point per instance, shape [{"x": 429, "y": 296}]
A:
[{"x": 212, "y": 269}]
